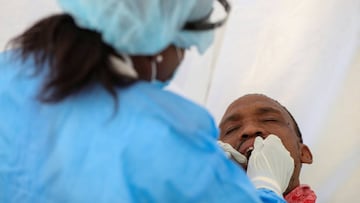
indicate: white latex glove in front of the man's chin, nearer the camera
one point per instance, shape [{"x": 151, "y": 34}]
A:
[{"x": 270, "y": 165}]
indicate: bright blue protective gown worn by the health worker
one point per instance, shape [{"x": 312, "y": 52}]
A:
[{"x": 155, "y": 147}]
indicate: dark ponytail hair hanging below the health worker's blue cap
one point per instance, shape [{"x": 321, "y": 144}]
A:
[{"x": 75, "y": 56}]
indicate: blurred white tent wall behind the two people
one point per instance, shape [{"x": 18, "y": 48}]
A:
[{"x": 303, "y": 53}]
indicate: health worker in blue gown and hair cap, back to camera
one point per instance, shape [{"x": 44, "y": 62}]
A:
[{"x": 84, "y": 118}]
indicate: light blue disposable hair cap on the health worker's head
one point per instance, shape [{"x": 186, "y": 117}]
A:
[{"x": 142, "y": 27}]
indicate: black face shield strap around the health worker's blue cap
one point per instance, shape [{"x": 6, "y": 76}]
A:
[{"x": 204, "y": 24}]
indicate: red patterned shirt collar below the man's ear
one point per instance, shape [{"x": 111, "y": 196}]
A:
[{"x": 301, "y": 194}]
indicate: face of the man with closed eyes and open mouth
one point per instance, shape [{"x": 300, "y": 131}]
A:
[{"x": 257, "y": 115}]
